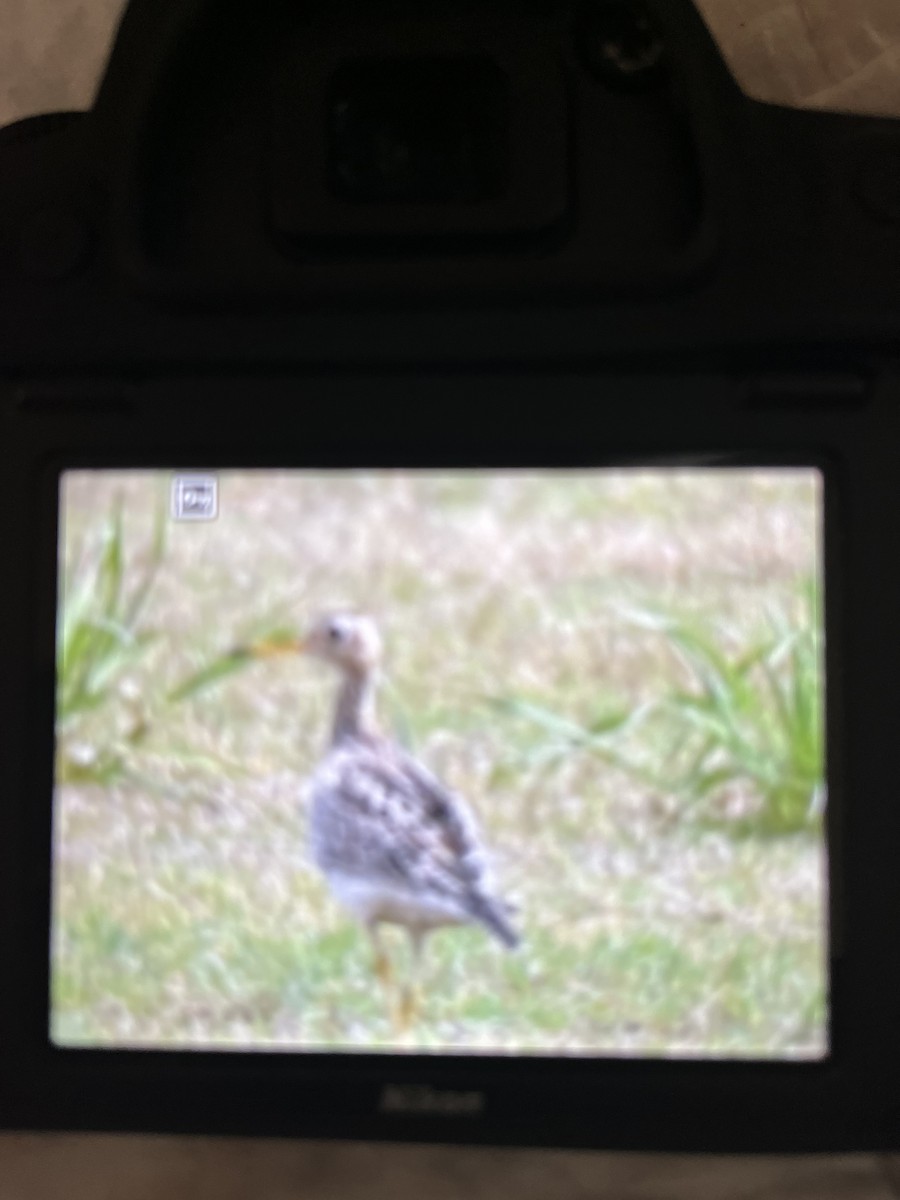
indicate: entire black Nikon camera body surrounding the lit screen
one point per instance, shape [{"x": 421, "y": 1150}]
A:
[{"x": 512, "y": 233}]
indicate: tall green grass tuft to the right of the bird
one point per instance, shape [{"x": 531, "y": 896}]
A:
[{"x": 737, "y": 745}]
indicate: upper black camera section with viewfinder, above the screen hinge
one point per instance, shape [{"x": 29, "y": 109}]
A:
[{"x": 502, "y": 183}]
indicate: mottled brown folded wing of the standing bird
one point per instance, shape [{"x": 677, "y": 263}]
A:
[{"x": 379, "y": 813}]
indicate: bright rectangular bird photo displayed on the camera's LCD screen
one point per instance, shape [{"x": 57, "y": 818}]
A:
[{"x": 493, "y": 763}]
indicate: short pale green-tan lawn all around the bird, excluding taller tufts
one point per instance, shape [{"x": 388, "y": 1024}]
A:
[{"x": 188, "y": 910}]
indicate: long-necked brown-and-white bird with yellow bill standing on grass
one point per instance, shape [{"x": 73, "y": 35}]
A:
[{"x": 395, "y": 845}]
